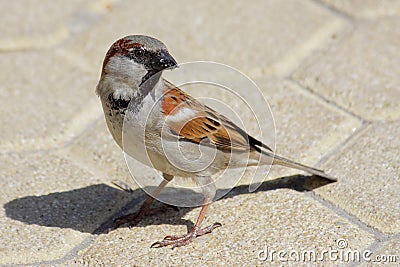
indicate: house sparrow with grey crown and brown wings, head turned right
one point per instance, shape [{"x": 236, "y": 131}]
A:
[{"x": 131, "y": 83}]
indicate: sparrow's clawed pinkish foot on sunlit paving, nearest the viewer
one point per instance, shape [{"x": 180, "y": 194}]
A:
[{"x": 182, "y": 240}]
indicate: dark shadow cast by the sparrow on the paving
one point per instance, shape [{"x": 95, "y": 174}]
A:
[{"x": 92, "y": 209}]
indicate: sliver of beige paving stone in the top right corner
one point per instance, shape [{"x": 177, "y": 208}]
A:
[{"x": 366, "y": 8}]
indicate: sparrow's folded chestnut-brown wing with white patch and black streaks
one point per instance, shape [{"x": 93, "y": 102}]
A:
[{"x": 196, "y": 122}]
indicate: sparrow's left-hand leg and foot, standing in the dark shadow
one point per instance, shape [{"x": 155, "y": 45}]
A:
[{"x": 134, "y": 218}]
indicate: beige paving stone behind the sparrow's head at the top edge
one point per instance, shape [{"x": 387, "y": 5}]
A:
[{"x": 259, "y": 37}]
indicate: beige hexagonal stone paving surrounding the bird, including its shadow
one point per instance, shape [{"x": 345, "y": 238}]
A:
[{"x": 329, "y": 69}]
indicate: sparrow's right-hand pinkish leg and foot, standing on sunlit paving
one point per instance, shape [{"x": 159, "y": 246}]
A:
[{"x": 182, "y": 240}]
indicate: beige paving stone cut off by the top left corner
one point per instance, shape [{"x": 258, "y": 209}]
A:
[{"x": 32, "y": 25}]
